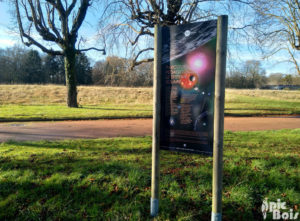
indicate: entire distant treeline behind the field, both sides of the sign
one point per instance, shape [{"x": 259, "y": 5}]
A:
[{"x": 19, "y": 65}]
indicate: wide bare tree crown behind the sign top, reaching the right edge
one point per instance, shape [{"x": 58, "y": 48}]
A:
[{"x": 271, "y": 25}]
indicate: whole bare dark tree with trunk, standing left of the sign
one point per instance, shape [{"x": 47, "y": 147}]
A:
[{"x": 57, "y": 22}]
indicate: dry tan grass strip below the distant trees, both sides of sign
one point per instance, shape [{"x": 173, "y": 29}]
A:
[{"x": 95, "y": 95}]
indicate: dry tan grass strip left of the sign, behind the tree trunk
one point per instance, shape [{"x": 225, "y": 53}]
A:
[{"x": 87, "y": 95}]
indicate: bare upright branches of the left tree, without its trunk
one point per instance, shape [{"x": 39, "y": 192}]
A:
[{"x": 41, "y": 17}]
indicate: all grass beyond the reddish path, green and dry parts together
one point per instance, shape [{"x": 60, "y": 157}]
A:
[{"x": 48, "y": 102}]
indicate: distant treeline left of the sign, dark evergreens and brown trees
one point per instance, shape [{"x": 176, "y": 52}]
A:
[{"x": 21, "y": 66}]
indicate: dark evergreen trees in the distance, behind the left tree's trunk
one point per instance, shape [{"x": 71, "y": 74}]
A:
[{"x": 22, "y": 66}]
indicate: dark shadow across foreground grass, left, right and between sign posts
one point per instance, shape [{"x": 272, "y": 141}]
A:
[{"x": 102, "y": 198}]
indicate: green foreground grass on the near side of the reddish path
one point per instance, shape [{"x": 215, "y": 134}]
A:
[{"x": 109, "y": 179}]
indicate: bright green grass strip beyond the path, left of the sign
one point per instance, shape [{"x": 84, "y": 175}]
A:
[{"x": 59, "y": 112}]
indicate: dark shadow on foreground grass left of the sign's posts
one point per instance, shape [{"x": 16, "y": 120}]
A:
[{"x": 54, "y": 192}]
